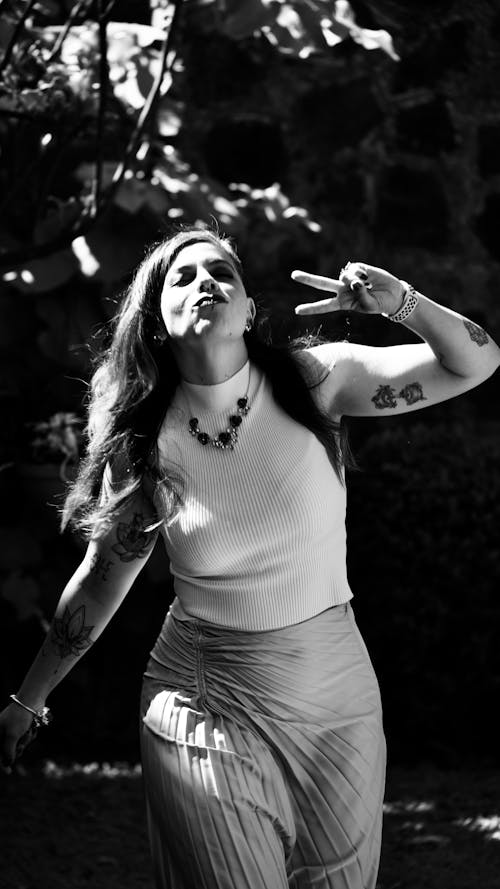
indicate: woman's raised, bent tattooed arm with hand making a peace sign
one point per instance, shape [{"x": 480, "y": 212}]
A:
[{"x": 456, "y": 354}]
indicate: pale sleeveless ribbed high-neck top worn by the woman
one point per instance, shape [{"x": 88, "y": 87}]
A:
[{"x": 260, "y": 540}]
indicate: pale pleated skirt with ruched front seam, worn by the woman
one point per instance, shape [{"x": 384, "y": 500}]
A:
[{"x": 263, "y": 756}]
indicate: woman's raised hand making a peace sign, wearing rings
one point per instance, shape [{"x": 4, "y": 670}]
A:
[{"x": 360, "y": 287}]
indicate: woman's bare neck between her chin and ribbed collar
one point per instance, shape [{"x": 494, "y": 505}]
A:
[{"x": 207, "y": 367}]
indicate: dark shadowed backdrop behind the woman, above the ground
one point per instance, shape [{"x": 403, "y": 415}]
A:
[{"x": 396, "y": 163}]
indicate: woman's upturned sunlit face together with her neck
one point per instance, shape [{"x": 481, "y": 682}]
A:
[{"x": 207, "y": 340}]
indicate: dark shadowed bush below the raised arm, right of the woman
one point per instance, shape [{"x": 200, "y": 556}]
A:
[{"x": 424, "y": 567}]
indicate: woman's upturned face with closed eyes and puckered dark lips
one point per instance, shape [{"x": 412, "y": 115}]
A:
[{"x": 203, "y": 295}]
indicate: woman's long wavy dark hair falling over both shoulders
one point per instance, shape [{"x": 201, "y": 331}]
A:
[{"x": 134, "y": 382}]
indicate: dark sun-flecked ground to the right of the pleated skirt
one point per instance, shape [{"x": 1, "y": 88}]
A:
[{"x": 438, "y": 829}]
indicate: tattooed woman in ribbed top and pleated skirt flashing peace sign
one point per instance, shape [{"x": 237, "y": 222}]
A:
[{"x": 262, "y": 741}]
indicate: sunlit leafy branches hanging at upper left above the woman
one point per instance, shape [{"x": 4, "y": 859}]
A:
[{"x": 75, "y": 93}]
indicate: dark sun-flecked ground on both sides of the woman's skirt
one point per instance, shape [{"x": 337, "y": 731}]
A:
[{"x": 83, "y": 826}]
